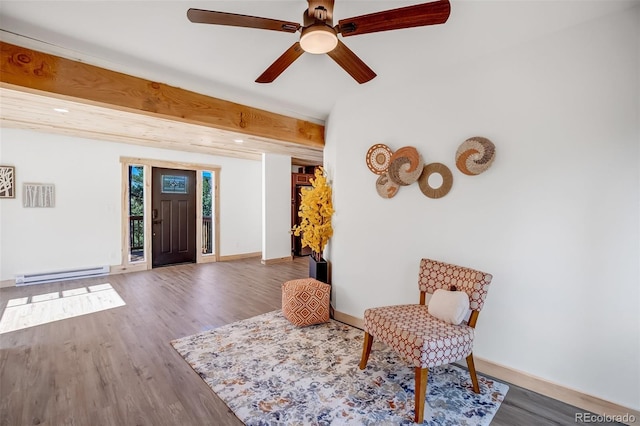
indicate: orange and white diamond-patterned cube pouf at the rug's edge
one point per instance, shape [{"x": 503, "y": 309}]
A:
[{"x": 306, "y": 301}]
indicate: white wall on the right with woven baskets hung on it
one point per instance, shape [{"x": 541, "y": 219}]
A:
[{"x": 555, "y": 219}]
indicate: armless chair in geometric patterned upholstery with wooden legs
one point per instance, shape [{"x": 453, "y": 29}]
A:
[{"x": 422, "y": 339}]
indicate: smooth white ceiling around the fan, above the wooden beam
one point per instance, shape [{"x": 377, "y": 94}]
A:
[{"x": 154, "y": 40}]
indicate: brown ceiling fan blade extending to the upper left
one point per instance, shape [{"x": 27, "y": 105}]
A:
[{"x": 200, "y": 16}]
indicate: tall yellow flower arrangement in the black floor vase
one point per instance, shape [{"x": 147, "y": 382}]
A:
[{"x": 316, "y": 209}]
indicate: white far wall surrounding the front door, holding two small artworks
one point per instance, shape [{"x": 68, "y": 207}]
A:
[{"x": 84, "y": 227}]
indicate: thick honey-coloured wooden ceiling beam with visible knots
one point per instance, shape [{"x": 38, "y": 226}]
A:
[{"x": 37, "y": 72}]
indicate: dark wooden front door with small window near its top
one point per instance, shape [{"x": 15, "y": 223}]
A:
[{"x": 173, "y": 216}]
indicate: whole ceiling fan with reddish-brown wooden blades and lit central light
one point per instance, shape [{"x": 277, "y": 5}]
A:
[{"x": 318, "y": 35}]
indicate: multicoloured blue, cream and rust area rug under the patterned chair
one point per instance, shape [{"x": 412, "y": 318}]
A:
[{"x": 270, "y": 372}]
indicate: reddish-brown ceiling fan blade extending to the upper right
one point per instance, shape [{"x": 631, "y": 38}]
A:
[{"x": 419, "y": 15}]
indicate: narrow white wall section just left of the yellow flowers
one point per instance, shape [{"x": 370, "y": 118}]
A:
[{"x": 276, "y": 206}]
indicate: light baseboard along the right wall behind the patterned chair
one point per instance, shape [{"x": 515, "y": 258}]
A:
[{"x": 536, "y": 384}]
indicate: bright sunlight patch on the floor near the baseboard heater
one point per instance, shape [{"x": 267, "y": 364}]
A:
[{"x": 44, "y": 308}]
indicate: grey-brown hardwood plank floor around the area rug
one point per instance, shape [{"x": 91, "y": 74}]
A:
[{"x": 116, "y": 367}]
